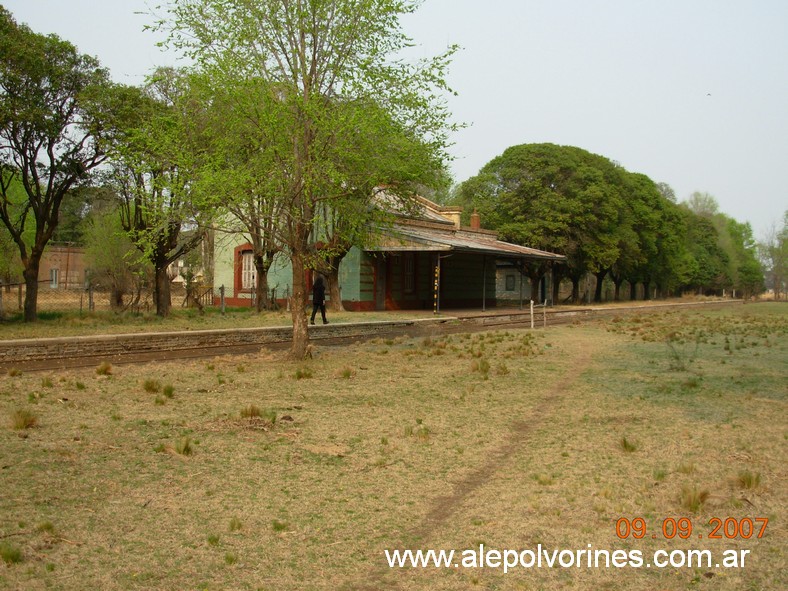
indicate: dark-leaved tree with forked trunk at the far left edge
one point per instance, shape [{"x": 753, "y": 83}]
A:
[{"x": 53, "y": 108}]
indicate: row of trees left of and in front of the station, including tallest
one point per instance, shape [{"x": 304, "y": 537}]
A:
[{"x": 292, "y": 116}]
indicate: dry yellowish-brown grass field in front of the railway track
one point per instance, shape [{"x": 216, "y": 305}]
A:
[{"x": 259, "y": 473}]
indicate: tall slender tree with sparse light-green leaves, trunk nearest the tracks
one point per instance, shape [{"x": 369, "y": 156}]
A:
[{"x": 315, "y": 56}]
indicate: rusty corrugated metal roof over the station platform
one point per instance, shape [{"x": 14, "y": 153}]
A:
[{"x": 408, "y": 238}]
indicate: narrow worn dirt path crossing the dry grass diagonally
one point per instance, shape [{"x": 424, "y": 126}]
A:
[{"x": 443, "y": 508}]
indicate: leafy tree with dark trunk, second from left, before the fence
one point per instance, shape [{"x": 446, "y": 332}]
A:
[{"x": 153, "y": 169}]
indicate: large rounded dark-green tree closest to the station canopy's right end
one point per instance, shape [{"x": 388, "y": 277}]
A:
[{"x": 557, "y": 198}]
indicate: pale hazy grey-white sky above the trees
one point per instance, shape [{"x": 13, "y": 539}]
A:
[{"x": 693, "y": 93}]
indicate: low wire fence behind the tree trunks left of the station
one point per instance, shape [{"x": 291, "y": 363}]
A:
[{"x": 99, "y": 298}]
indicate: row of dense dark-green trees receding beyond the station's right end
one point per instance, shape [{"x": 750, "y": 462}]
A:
[{"x": 611, "y": 223}]
